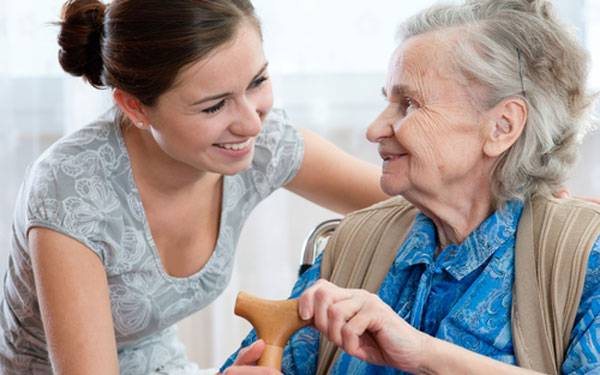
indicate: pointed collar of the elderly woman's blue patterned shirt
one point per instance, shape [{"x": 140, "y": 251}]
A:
[{"x": 459, "y": 260}]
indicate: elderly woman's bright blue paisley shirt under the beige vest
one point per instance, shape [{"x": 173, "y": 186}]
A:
[{"x": 463, "y": 296}]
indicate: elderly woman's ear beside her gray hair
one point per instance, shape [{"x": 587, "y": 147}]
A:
[{"x": 504, "y": 125}]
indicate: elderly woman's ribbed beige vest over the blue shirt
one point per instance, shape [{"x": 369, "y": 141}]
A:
[{"x": 554, "y": 240}]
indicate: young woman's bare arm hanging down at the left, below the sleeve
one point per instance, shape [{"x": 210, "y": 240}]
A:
[{"x": 74, "y": 302}]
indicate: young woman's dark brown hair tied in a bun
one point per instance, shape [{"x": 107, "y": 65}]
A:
[{"x": 139, "y": 46}]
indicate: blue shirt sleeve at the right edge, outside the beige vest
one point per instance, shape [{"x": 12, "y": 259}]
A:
[{"x": 583, "y": 354}]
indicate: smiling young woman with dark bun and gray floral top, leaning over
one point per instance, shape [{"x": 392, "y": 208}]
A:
[{"x": 130, "y": 224}]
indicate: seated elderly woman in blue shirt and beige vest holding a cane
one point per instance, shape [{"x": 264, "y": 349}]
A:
[{"x": 486, "y": 103}]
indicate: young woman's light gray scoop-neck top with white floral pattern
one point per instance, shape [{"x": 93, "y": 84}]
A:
[{"x": 83, "y": 187}]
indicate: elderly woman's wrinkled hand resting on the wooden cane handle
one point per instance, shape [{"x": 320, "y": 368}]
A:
[{"x": 363, "y": 326}]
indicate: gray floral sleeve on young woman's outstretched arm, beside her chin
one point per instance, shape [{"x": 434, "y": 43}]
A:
[{"x": 278, "y": 154}]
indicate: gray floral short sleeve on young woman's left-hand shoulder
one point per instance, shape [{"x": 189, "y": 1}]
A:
[{"x": 66, "y": 191}]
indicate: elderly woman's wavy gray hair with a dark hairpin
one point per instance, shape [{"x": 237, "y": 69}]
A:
[{"x": 519, "y": 48}]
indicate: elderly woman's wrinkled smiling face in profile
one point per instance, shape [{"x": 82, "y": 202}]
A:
[{"x": 429, "y": 135}]
